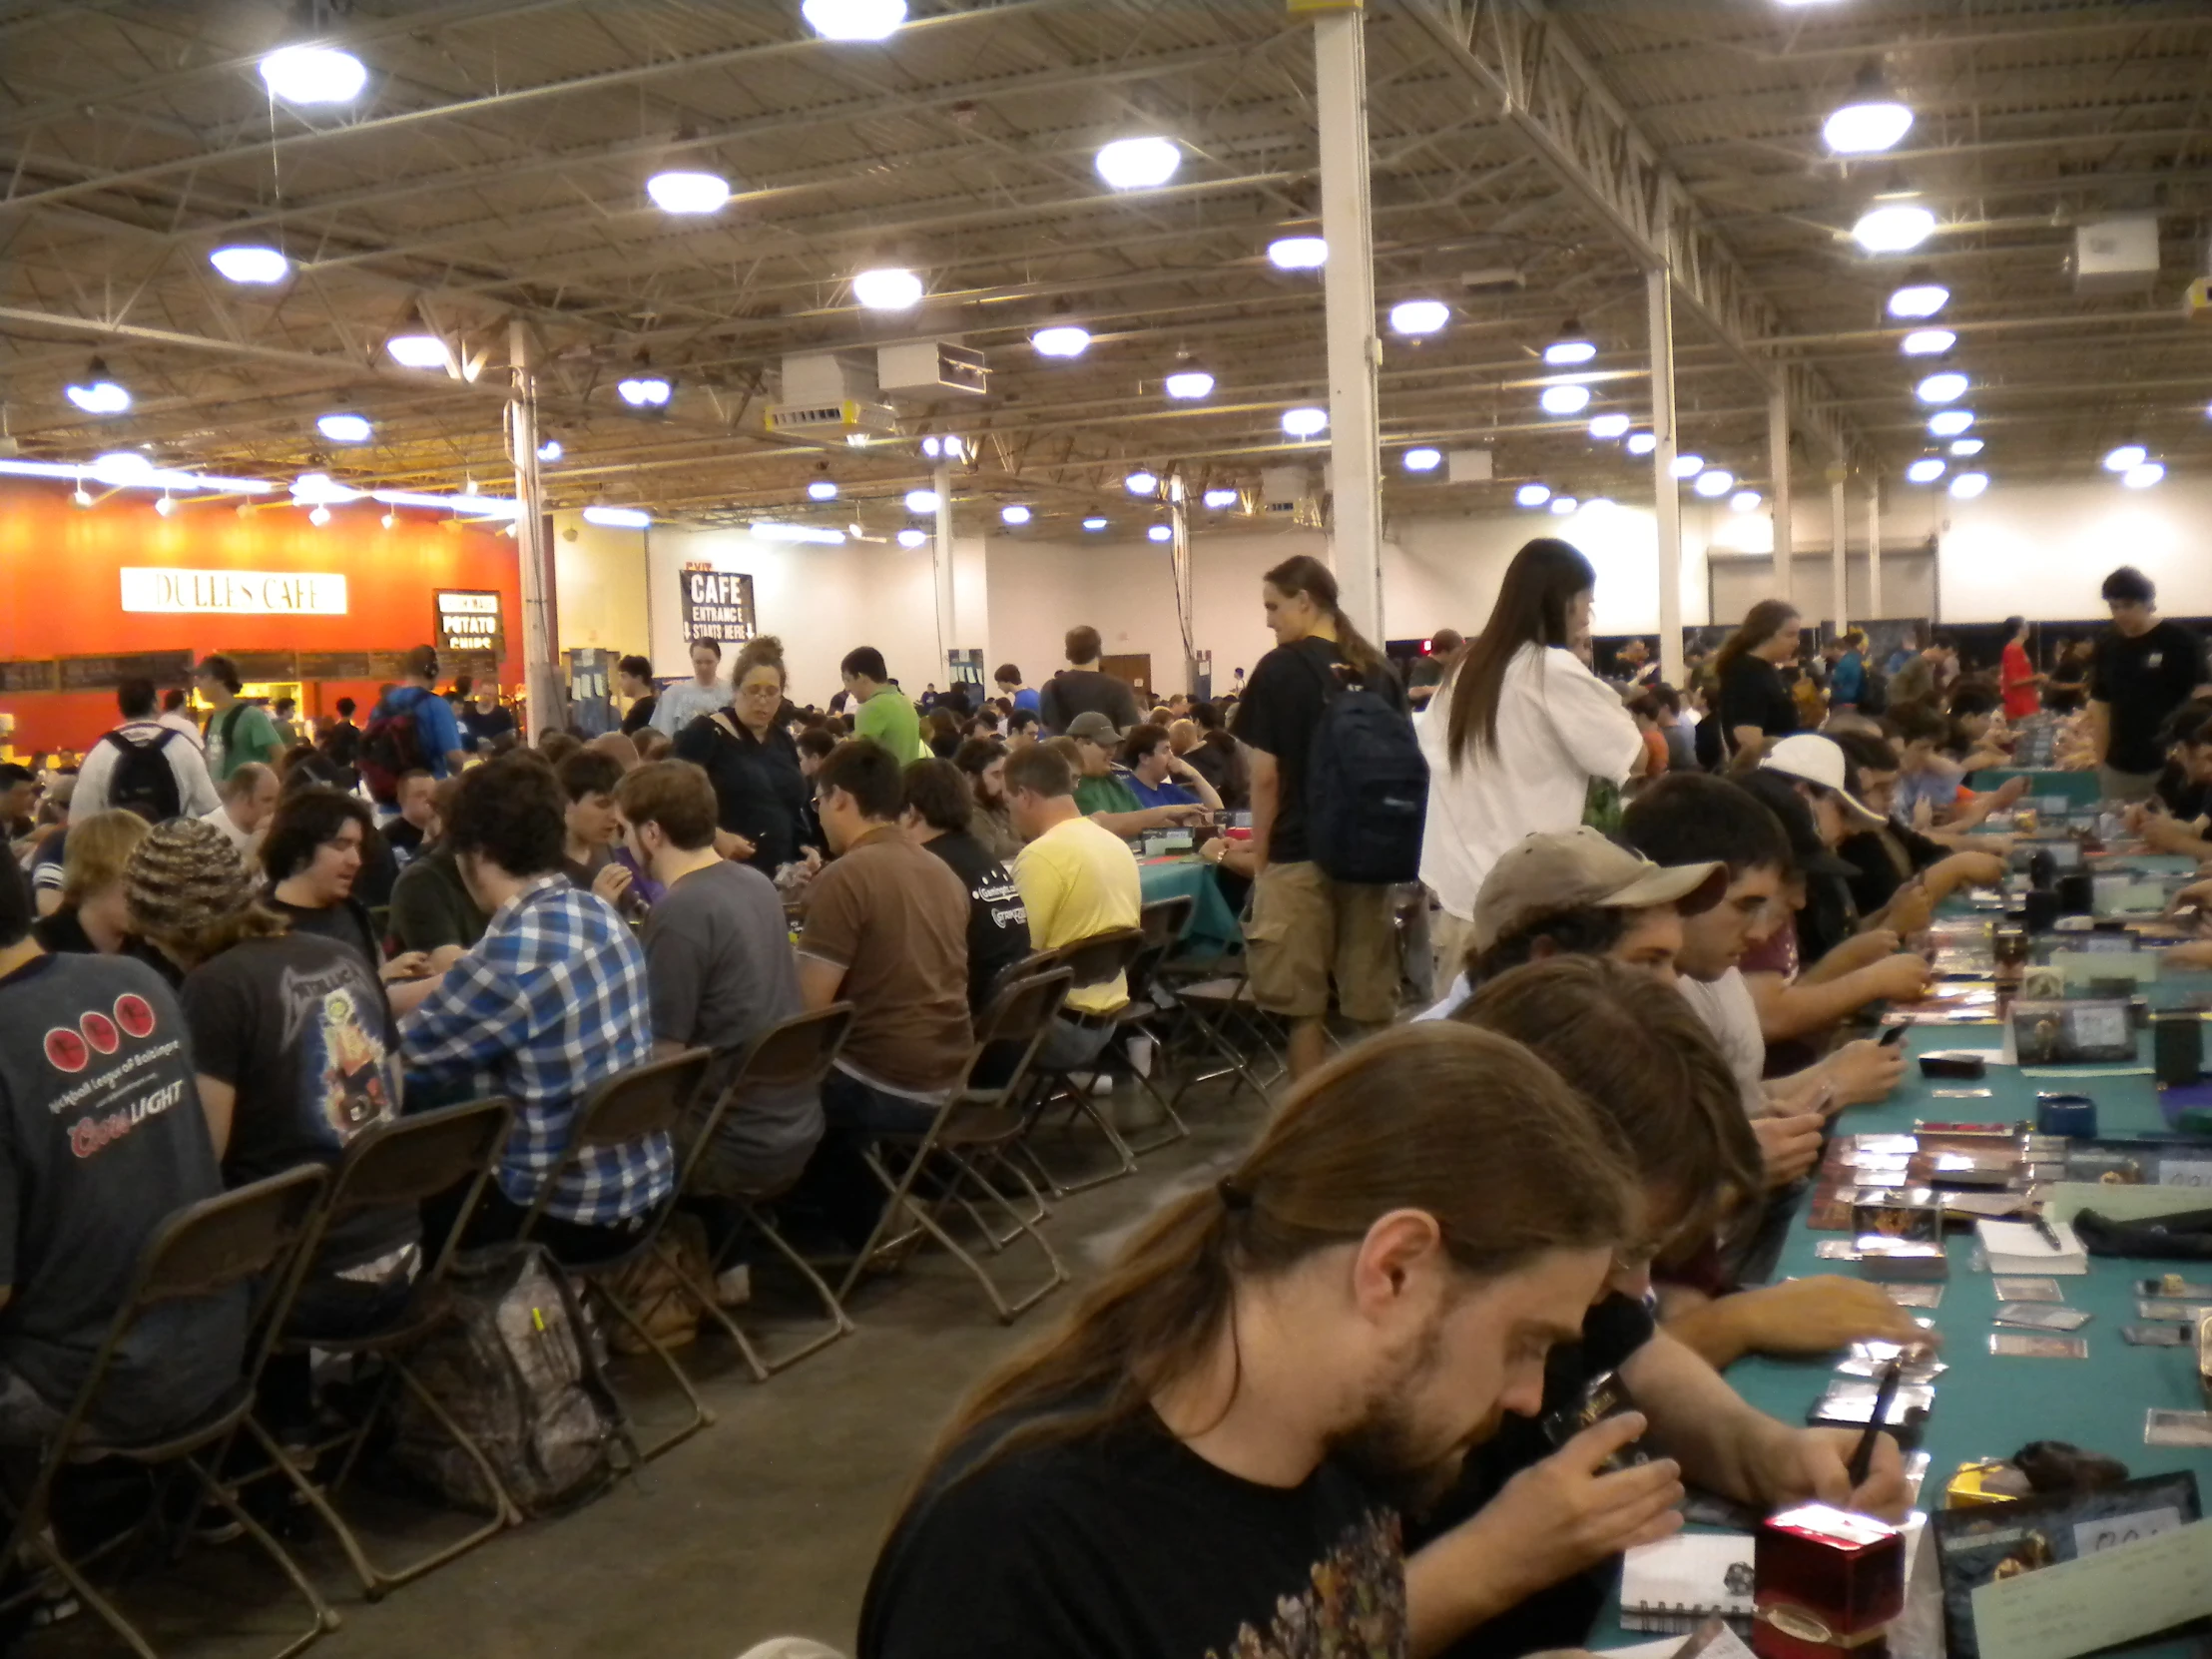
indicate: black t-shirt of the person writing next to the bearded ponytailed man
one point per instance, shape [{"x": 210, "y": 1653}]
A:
[{"x": 1561, "y": 1616}]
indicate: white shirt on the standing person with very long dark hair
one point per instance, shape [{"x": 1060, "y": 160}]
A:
[{"x": 1558, "y": 727}]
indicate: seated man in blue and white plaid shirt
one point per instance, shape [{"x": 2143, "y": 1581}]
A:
[{"x": 545, "y": 1008}]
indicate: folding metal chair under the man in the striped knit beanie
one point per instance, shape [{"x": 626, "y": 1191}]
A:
[{"x": 399, "y": 1162}]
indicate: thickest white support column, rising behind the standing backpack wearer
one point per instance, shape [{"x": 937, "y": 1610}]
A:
[{"x": 1350, "y": 302}]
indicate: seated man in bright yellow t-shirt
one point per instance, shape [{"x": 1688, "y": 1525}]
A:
[{"x": 1078, "y": 881}]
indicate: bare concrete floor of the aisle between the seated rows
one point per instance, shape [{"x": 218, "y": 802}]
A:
[{"x": 762, "y": 1525}]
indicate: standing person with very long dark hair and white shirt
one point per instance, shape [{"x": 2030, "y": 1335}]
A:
[{"x": 1516, "y": 735}]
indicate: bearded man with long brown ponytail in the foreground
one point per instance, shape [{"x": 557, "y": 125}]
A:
[{"x": 1209, "y": 1457}]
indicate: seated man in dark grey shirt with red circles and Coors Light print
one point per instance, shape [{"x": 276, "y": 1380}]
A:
[{"x": 103, "y": 1145}]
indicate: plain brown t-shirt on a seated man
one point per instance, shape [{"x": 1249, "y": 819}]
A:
[{"x": 895, "y": 919}]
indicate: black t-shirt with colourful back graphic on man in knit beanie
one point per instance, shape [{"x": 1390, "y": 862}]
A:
[{"x": 300, "y": 1027}]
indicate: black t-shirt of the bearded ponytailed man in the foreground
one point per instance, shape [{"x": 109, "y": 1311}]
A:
[{"x": 1127, "y": 1545}]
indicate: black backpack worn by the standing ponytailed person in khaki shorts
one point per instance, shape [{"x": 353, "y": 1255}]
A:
[{"x": 1366, "y": 786}]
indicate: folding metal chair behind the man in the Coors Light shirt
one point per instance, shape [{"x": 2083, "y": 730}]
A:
[{"x": 238, "y": 1240}]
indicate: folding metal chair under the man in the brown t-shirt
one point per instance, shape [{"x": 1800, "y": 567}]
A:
[{"x": 977, "y": 1127}]
